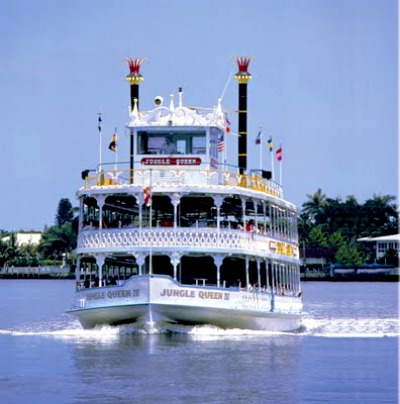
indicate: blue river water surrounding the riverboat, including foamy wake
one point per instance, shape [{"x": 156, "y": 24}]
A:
[{"x": 346, "y": 352}]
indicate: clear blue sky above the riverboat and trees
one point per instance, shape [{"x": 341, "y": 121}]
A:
[{"x": 324, "y": 84}]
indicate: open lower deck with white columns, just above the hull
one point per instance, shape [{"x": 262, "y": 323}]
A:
[{"x": 220, "y": 271}]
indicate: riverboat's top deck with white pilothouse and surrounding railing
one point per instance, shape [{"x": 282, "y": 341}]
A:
[{"x": 180, "y": 146}]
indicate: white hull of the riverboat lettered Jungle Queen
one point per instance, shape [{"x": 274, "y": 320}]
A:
[{"x": 158, "y": 300}]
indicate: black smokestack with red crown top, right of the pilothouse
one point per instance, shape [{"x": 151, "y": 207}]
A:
[{"x": 242, "y": 77}]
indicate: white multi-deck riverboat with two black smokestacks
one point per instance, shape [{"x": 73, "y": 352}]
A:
[{"x": 181, "y": 236}]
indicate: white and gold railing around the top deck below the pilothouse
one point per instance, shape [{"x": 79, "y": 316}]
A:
[{"x": 166, "y": 177}]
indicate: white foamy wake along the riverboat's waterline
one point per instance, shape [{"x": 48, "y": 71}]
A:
[{"x": 311, "y": 327}]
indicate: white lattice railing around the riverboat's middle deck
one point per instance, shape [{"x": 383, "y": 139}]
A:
[{"x": 187, "y": 239}]
